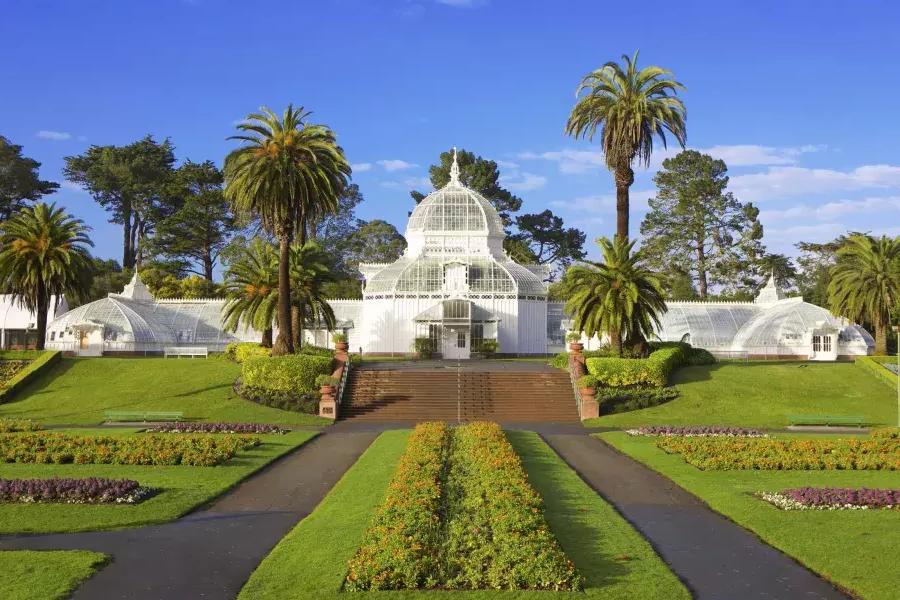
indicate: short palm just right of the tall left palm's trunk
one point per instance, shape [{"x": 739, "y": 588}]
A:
[{"x": 310, "y": 271}]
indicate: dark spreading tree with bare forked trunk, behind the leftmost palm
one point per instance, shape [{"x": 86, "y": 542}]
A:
[{"x": 133, "y": 183}]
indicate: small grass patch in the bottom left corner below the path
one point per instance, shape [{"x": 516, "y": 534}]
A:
[{"x": 45, "y": 575}]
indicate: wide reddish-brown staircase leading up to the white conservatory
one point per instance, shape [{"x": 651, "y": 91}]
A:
[{"x": 397, "y": 395}]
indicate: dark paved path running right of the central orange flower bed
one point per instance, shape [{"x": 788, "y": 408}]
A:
[{"x": 715, "y": 558}]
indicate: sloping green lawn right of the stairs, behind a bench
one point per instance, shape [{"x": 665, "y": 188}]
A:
[{"x": 765, "y": 395}]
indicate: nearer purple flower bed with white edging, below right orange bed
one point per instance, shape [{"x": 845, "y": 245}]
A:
[{"x": 809, "y": 498}]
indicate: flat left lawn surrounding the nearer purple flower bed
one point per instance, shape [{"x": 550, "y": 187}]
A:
[{"x": 181, "y": 489}]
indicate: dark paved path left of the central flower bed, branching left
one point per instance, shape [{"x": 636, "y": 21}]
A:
[{"x": 211, "y": 553}]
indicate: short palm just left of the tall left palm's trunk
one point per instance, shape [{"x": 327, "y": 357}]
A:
[{"x": 252, "y": 289}]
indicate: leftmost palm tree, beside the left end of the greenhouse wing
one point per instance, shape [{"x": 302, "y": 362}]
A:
[{"x": 44, "y": 254}]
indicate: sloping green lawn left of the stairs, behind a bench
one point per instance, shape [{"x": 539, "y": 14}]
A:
[{"x": 77, "y": 391}]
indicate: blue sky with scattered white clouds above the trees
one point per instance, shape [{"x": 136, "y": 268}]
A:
[{"x": 798, "y": 97}]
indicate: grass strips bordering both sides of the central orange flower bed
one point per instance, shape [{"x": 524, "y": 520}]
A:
[{"x": 617, "y": 563}]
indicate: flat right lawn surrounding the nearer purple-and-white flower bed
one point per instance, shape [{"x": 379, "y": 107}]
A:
[{"x": 855, "y": 549}]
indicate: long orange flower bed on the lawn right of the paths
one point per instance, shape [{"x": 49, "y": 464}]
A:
[{"x": 711, "y": 453}]
